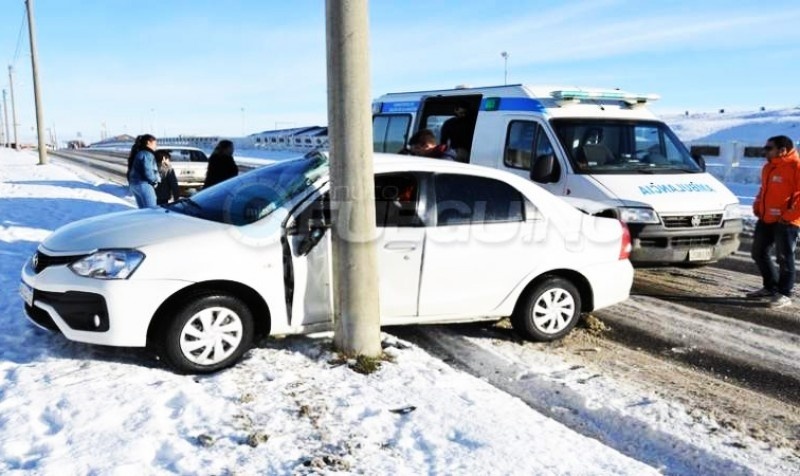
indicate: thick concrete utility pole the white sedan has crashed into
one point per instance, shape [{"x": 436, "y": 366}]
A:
[{"x": 355, "y": 278}]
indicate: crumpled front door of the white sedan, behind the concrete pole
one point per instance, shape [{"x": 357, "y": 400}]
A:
[{"x": 399, "y": 243}]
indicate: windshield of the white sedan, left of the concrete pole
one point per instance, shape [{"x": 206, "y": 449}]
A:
[{"x": 252, "y": 196}]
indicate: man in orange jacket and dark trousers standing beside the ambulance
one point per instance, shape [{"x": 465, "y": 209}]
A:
[{"x": 777, "y": 207}]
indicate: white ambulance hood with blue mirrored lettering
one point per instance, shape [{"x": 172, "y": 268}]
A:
[{"x": 669, "y": 193}]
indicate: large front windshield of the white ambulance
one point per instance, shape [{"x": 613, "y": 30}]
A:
[{"x": 623, "y": 147}]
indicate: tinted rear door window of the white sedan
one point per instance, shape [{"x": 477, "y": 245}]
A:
[{"x": 466, "y": 199}]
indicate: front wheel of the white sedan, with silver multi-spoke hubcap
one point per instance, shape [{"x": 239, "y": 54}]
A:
[{"x": 208, "y": 333}]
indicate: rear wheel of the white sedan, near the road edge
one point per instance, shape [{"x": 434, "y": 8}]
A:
[{"x": 548, "y": 311}]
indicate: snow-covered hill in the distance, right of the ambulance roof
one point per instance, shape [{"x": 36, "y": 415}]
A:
[{"x": 751, "y": 128}]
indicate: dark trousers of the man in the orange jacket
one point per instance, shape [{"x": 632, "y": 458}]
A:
[{"x": 784, "y": 237}]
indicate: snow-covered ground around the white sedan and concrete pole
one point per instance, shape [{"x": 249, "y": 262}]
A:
[{"x": 290, "y": 407}]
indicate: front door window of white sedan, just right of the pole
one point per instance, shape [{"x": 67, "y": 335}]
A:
[{"x": 397, "y": 201}]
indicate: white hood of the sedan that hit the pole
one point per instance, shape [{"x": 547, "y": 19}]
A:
[{"x": 128, "y": 229}]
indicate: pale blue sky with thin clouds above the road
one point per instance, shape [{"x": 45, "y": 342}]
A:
[{"x": 207, "y": 67}]
